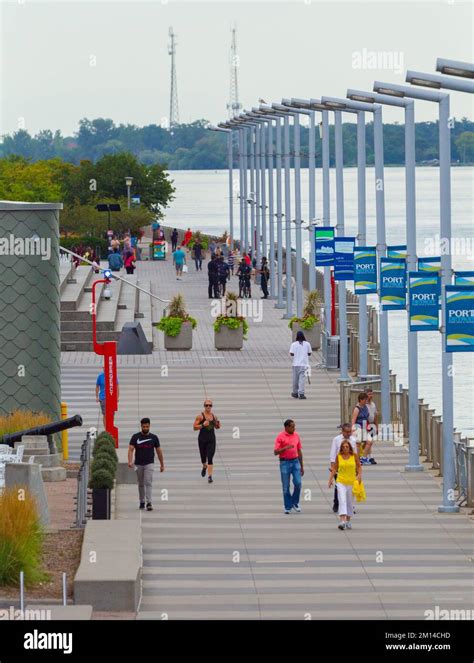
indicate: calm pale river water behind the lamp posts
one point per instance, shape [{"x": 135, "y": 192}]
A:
[{"x": 202, "y": 203}]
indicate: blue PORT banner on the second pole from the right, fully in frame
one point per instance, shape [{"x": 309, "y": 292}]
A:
[{"x": 423, "y": 297}]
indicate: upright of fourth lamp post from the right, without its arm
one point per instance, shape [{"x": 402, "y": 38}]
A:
[{"x": 362, "y": 237}]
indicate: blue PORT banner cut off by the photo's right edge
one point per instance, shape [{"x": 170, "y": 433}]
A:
[{"x": 459, "y": 318}]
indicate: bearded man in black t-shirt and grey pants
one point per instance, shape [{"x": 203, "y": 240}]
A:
[{"x": 143, "y": 444}]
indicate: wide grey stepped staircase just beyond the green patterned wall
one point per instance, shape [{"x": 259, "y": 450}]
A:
[{"x": 126, "y": 304}]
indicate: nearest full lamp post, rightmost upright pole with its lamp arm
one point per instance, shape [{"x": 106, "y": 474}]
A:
[{"x": 442, "y": 99}]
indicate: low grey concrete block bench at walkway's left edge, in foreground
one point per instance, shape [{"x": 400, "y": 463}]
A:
[{"x": 109, "y": 575}]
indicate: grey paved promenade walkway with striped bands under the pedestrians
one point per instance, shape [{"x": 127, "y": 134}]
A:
[{"x": 227, "y": 550}]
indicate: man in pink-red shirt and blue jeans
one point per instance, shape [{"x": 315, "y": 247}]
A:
[{"x": 288, "y": 448}]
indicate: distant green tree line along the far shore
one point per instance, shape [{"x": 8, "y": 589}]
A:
[{"x": 192, "y": 146}]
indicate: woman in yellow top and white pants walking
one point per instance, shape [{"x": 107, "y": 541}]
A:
[{"x": 348, "y": 469}]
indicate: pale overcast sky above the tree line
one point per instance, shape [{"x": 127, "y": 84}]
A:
[{"x": 62, "y": 61}]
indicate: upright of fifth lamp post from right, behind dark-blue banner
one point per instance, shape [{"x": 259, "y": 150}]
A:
[{"x": 343, "y": 346}]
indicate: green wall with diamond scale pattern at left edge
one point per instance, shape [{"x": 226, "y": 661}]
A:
[{"x": 29, "y": 308}]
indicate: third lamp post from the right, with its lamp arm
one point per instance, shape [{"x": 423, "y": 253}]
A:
[{"x": 345, "y": 104}]
